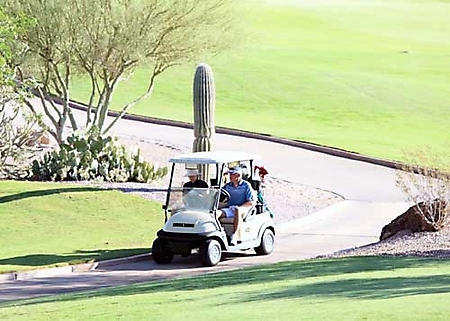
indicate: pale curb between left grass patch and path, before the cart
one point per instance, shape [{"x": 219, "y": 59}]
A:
[{"x": 65, "y": 270}]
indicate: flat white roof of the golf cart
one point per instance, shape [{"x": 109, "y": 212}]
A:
[{"x": 212, "y": 157}]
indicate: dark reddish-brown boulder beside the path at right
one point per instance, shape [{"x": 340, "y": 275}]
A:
[{"x": 432, "y": 219}]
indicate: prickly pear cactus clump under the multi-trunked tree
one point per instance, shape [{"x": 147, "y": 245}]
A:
[{"x": 92, "y": 157}]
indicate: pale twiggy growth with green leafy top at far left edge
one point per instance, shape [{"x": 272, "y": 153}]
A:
[{"x": 17, "y": 128}]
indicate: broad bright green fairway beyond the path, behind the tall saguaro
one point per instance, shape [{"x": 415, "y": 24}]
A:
[{"x": 366, "y": 76}]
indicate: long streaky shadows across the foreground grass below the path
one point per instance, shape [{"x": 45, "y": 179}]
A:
[{"x": 350, "y": 286}]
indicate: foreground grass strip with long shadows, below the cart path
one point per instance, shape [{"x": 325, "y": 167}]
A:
[{"x": 361, "y": 288}]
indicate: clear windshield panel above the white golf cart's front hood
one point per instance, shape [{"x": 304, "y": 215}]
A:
[{"x": 192, "y": 199}]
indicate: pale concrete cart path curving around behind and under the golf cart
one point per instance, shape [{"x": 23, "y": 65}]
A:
[{"x": 372, "y": 200}]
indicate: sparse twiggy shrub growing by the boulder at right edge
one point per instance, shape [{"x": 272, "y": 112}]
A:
[{"x": 427, "y": 186}]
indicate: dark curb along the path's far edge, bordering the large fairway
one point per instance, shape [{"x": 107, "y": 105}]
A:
[{"x": 247, "y": 134}]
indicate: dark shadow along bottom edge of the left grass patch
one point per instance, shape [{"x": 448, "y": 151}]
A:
[{"x": 42, "y": 260}]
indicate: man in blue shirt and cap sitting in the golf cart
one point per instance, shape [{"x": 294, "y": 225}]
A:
[{"x": 241, "y": 200}]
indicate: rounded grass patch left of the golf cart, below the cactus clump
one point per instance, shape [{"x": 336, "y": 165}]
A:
[{"x": 52, "y": 224}]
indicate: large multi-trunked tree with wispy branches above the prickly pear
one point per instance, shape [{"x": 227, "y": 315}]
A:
[{"x": 105, "y": 40}]
